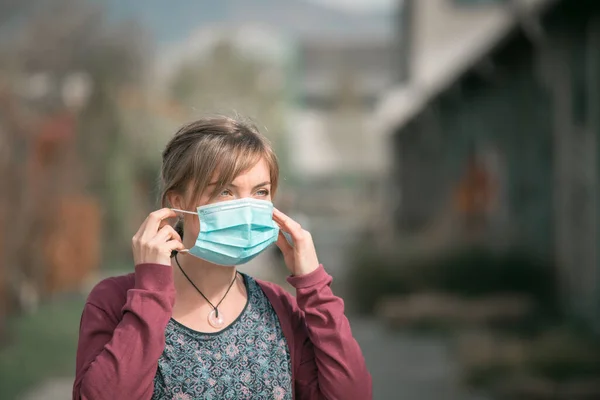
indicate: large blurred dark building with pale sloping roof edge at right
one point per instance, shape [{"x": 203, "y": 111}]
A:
[{"x": 514, "y": 88}]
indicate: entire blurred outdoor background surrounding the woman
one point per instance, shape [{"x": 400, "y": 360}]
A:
[{"x": 445, "y": 155}]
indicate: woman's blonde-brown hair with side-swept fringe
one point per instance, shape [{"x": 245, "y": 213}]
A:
[{"x": 218, "y": 144}]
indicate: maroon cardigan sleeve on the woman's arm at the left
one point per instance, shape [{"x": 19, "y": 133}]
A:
[{"x": 119, "y": 348}]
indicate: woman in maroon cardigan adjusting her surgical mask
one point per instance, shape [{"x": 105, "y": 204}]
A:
[{"x": 186, "y": 324}]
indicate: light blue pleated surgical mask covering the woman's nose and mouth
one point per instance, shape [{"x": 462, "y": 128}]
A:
[{"x": 234, "y": 232}]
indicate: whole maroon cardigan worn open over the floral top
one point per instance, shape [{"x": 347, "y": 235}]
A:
[{"x": 122, "y": 336}]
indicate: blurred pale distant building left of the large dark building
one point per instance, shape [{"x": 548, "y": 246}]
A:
[{"x": 337, "y": 83}]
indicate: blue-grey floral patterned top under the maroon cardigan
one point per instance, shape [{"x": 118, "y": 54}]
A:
[{"x": 249, "y": 359}]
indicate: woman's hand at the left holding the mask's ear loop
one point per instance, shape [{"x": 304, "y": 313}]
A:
[{"x": 155, "y": 240}]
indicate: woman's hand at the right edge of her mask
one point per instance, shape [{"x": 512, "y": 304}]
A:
[{"x": 301, "y": 257}]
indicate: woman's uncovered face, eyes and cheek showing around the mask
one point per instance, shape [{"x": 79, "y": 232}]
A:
[{"x": 254, "y": 183}]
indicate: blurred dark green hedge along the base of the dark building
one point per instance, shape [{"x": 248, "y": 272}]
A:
[{"x": 468, "y": 272}]
